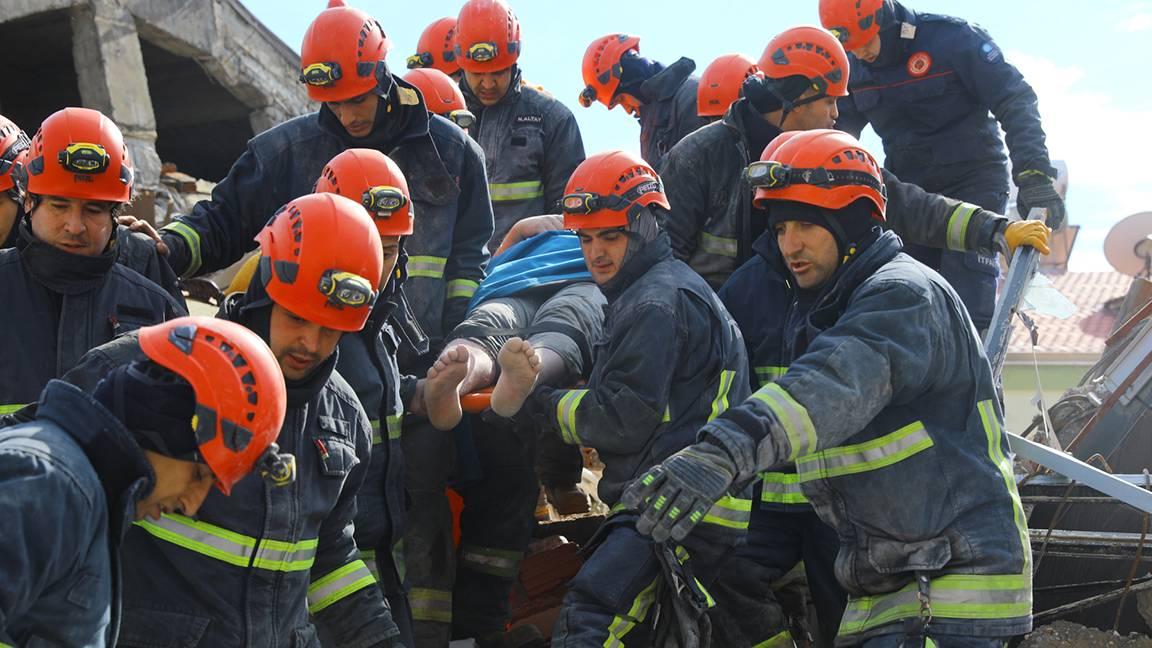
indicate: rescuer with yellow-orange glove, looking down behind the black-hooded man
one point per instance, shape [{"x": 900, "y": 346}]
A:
[{"x": 714, "y": 222}]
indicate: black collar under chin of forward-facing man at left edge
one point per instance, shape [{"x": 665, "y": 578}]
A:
[{"x": 64, "y": 273}]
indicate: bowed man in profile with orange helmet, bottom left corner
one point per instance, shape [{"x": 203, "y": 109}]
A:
[{"x": 77, "y": 477}]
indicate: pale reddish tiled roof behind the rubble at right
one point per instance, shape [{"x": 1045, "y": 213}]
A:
[{"x": 1086, "y": 331}]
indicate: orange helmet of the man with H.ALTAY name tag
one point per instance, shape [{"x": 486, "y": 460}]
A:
[{"x": 488, "y": 36}]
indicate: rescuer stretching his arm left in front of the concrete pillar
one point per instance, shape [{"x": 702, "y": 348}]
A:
[{"x": 363, "y": 106}]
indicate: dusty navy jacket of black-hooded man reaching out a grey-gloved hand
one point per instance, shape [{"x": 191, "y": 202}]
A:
[{"x": 891, "y": 388}]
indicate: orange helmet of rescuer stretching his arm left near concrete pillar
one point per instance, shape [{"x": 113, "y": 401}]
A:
[{"x": 343, "y": 55}]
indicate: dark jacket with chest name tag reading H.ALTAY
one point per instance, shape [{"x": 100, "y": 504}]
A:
[{"x": 532, "y": 146}]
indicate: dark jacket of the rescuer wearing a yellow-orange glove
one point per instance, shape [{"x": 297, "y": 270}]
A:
[{"x": 713, "y": 222}]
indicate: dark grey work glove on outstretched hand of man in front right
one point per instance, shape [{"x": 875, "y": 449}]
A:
[{"x": 674, "y": 496}]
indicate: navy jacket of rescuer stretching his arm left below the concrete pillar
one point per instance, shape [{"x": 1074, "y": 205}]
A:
[{"x": 445, "y": 174}]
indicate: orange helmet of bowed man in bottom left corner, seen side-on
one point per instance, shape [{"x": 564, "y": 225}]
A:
[{"x": 240, "y": 395}]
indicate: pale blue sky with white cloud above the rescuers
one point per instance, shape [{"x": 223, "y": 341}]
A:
[{"x": 1086, "y": 63}]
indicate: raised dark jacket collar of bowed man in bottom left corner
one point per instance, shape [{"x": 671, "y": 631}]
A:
[{"x": 115, "y": 455}]
